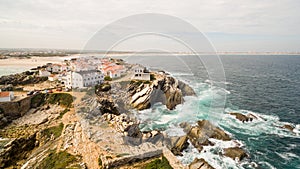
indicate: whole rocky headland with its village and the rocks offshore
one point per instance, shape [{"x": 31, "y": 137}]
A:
[{"x": 80, "y": 114}]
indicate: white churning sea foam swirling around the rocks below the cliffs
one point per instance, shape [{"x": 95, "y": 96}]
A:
[{"x": 195, "y": 108}]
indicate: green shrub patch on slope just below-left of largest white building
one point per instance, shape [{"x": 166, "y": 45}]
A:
[{"x": 64, "y": 99}]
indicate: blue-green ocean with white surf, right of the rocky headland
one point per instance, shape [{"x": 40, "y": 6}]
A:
[{"x": 267, "y": 86}]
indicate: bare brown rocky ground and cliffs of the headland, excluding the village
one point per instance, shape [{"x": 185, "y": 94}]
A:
[{"x": 99, "y": 130}]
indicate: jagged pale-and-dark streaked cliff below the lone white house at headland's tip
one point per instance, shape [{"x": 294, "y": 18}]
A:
[{"x": 165, "y": 89}]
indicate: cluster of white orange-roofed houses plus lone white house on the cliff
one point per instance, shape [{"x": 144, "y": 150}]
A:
[{"x": 85, "y": 72}]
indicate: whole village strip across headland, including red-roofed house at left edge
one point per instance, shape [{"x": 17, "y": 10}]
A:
[{"x": 82, "y": 72}]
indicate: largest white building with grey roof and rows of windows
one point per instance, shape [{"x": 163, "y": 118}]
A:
[{"x": 83, "y": 79}]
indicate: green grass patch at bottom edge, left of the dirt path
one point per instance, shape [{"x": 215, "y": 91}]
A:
[{"x": 58, "y": 160}]
